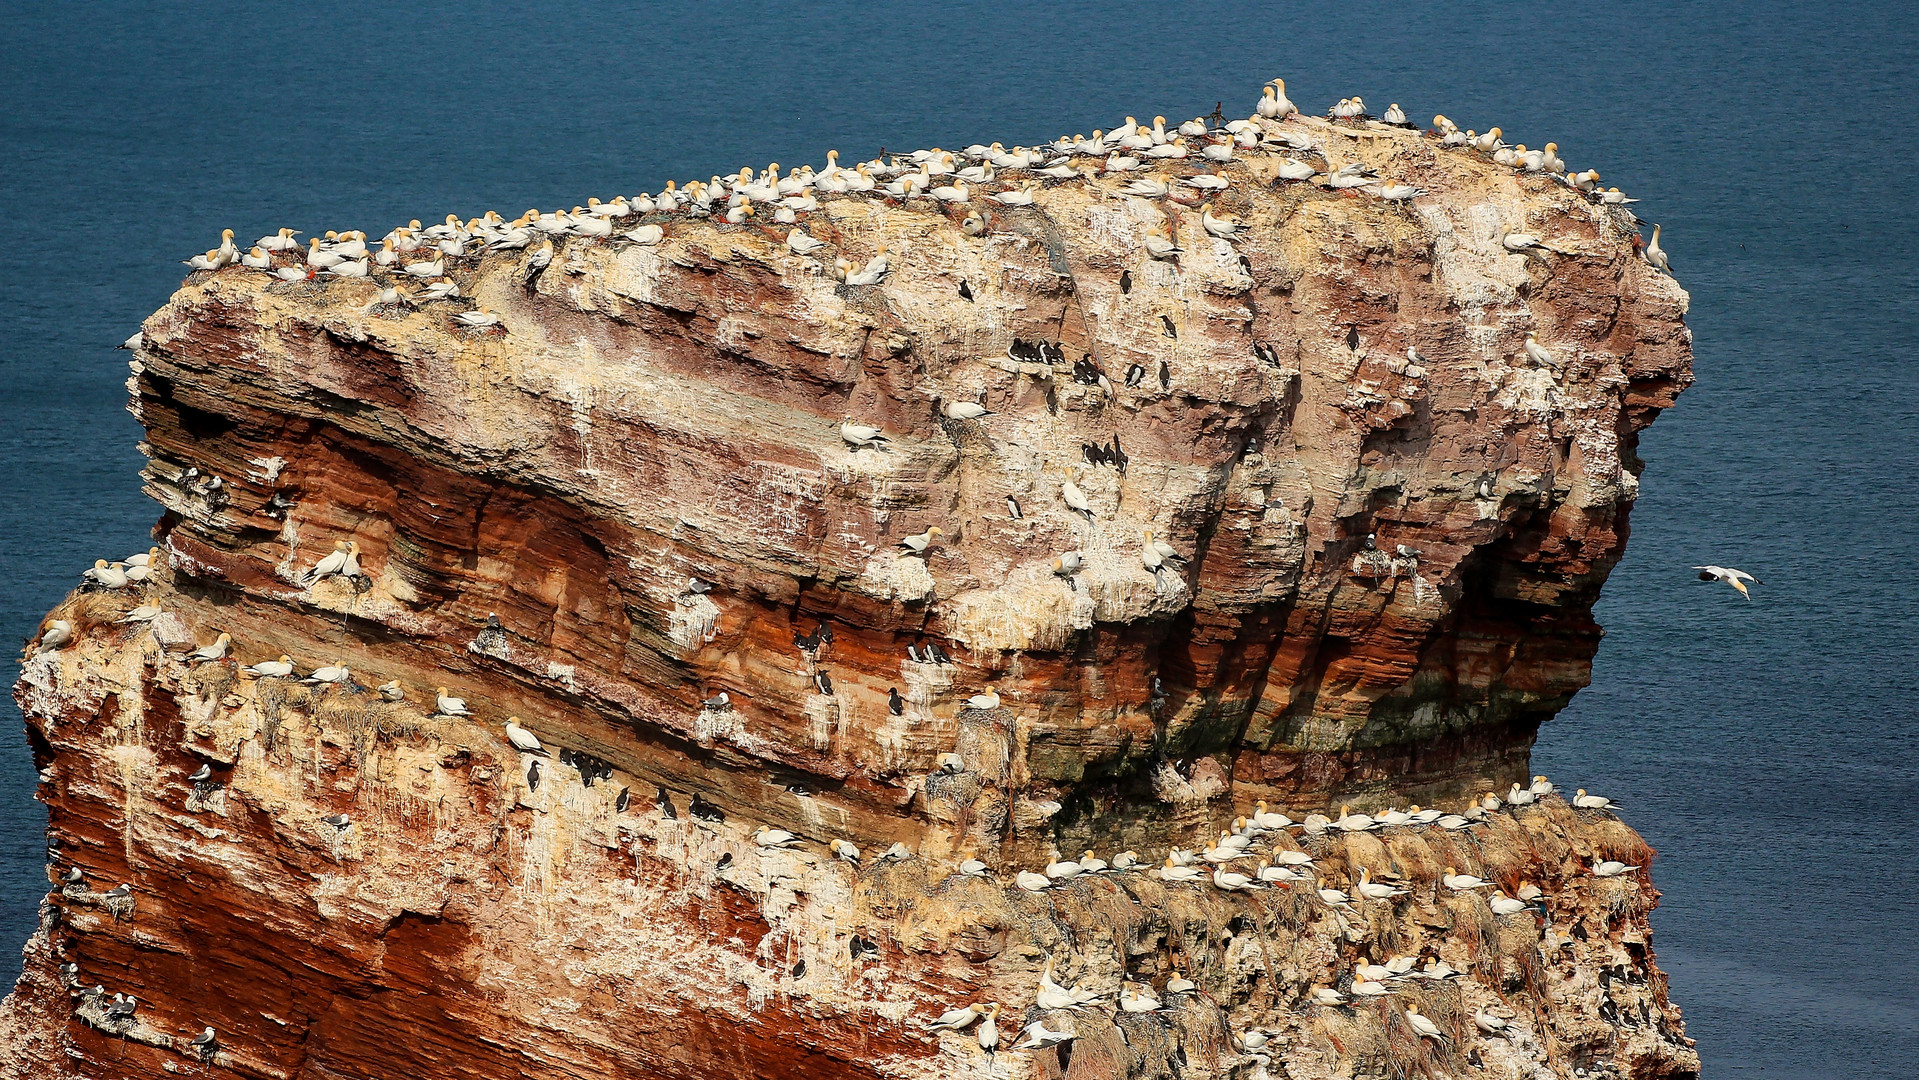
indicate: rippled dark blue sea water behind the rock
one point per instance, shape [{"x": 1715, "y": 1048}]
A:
[{"x": 1768, "y": 749}]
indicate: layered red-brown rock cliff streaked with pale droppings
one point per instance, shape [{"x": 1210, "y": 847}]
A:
[{"x": 642, "y": 475}]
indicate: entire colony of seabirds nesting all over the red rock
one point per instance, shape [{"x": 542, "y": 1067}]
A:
[{"x": 1333, "y": 868}]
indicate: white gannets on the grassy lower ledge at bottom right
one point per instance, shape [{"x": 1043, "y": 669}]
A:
[{"x": 1225, "y": 864}]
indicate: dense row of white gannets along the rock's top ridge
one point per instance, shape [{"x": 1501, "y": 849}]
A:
[{"x": 414, "y": 262}]
